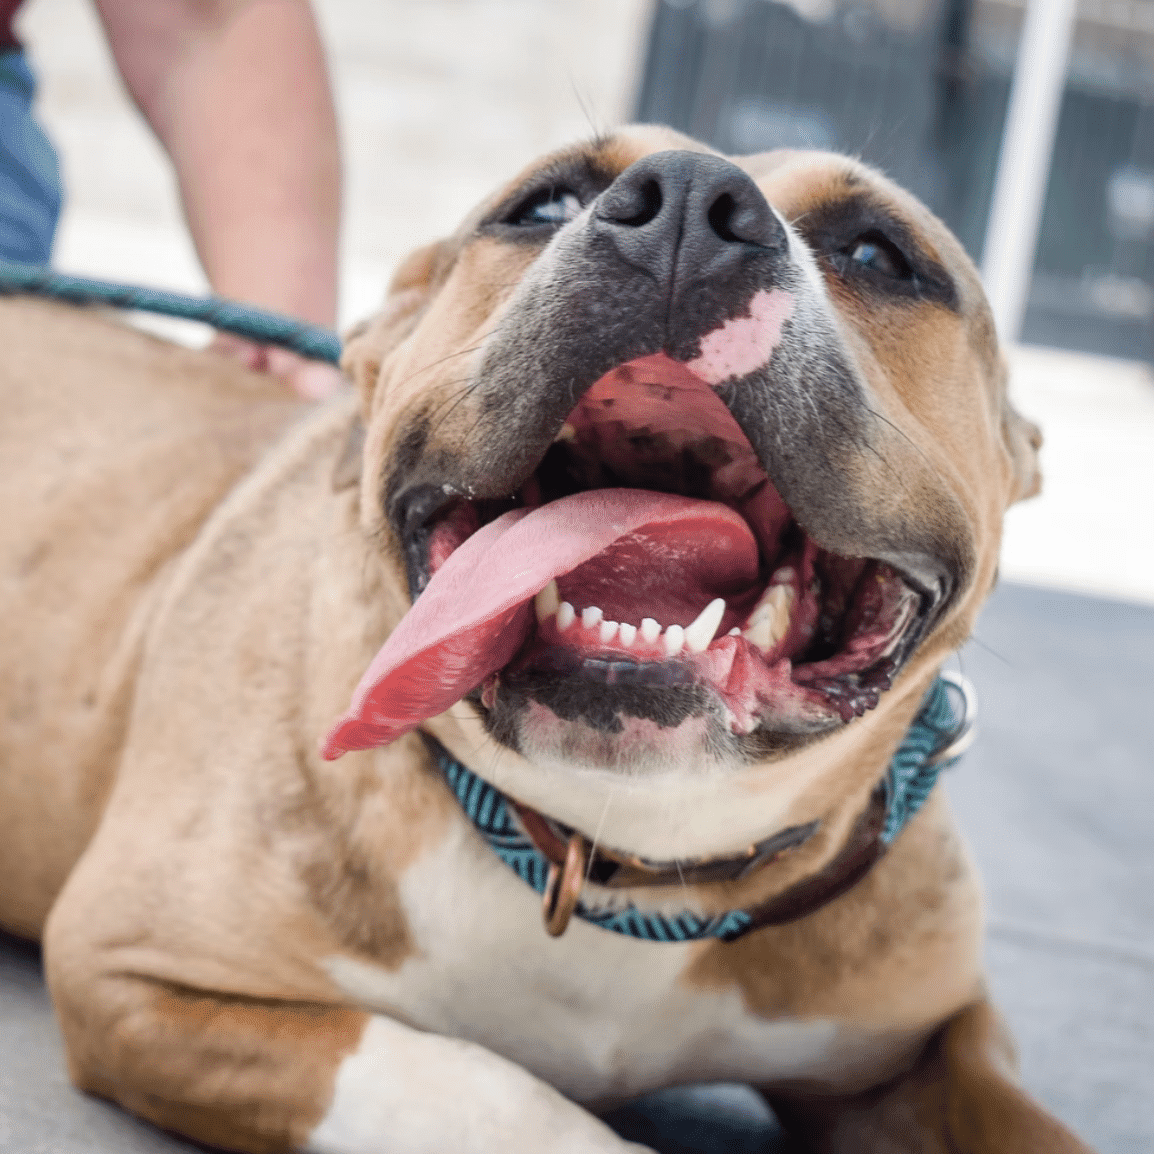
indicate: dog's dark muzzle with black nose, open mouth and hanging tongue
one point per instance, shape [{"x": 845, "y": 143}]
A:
[{"x": 647, "y": 520}]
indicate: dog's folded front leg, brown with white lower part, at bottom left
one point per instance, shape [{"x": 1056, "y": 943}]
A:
[{"x": 264, "y": 1076}]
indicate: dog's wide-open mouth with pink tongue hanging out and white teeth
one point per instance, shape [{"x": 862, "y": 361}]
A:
[{"x": 647, "y": 559}]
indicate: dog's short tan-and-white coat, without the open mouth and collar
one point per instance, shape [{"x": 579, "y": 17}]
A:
[{"x": 265, "y": 950}]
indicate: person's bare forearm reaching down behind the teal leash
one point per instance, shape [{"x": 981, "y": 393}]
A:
[{"x": 238, "y": 94}]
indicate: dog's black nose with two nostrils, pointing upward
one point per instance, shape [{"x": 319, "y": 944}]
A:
[{"x": 690, "y": 208}]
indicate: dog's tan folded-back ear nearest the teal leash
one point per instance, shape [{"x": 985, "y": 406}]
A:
[{"x": 370, "y": 342}]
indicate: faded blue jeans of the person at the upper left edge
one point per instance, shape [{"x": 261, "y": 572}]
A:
[{"x": 31, "y": 193}]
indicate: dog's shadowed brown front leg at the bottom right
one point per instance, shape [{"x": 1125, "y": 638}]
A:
[{"x": 961, "y": 1097}]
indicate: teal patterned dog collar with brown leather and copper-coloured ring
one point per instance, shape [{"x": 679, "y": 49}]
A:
[{"x": 558, "y": 861}]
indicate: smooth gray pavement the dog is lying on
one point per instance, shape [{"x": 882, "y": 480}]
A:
[{"x": 1056, "y": 799}]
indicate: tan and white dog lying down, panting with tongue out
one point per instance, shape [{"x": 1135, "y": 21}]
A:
[{"x": 516, "y": 735}]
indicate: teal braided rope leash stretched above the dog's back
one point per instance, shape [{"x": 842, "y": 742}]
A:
[{"x": 257, "y": 325}]
